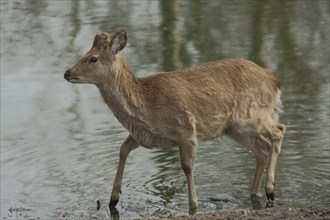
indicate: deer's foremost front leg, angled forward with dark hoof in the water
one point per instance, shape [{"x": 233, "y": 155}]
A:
[{"x": 128, "y": 145}]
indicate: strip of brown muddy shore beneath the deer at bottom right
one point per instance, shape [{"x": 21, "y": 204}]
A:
[{"x": 269, "y": 213}]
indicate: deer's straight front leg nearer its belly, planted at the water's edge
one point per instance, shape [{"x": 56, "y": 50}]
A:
[{"x": 187, "y": 156}]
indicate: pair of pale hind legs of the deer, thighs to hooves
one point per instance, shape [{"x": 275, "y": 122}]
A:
[{"x": 264, "y": 136}]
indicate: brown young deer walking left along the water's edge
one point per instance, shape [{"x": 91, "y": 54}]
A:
[{"x": 235, "y": 97}]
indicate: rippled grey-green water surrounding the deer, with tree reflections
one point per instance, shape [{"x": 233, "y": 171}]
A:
[{"x": 60, "y": 143}]
